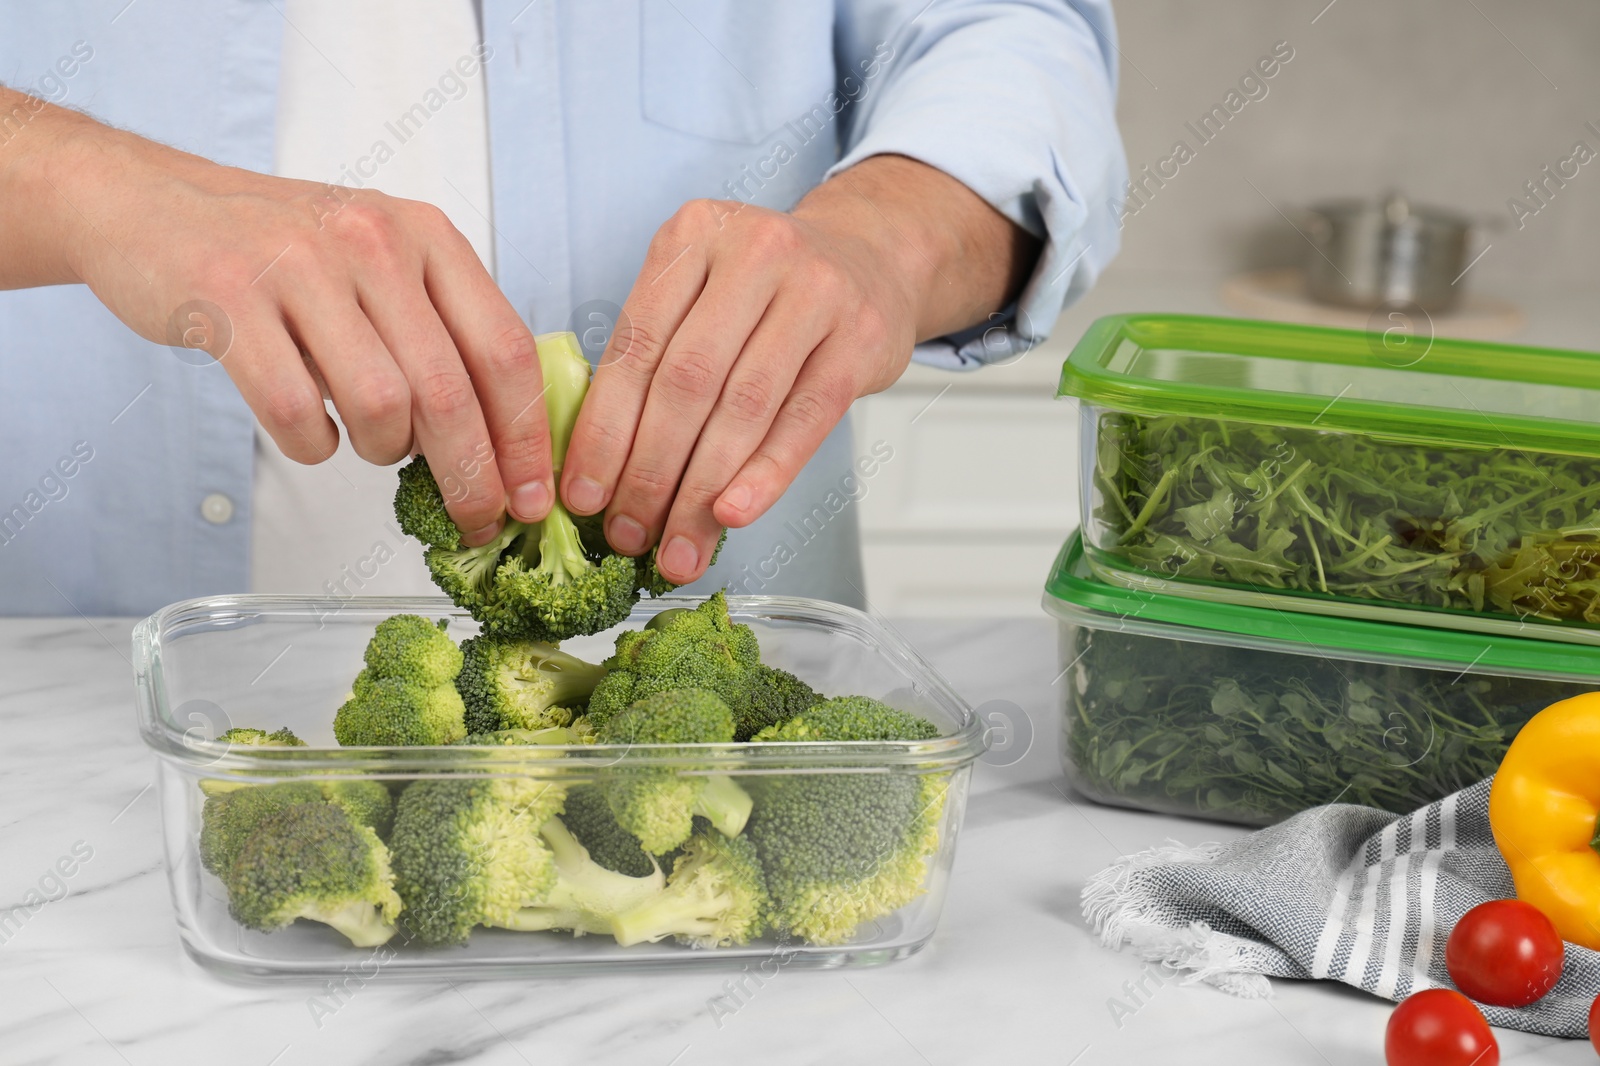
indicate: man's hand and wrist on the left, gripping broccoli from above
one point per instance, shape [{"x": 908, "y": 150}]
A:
[{"x": 378, "y": 303}]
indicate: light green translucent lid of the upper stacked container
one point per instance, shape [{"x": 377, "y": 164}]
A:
[{"x": 1460, "y": 393}]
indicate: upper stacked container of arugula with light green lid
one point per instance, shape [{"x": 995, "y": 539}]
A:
[{"x": 1361, "y": 475}]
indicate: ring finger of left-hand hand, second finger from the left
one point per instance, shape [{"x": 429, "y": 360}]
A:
[{"x": 367, "y": 387}]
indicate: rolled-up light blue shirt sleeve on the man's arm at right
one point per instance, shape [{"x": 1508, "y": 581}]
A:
[{"x": 1015, "y": 100}]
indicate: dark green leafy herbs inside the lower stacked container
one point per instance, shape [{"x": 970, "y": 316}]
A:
[{"x": 1254, "y": 737}]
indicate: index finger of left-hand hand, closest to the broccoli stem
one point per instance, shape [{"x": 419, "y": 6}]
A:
[{"x": 503, "y": 361}]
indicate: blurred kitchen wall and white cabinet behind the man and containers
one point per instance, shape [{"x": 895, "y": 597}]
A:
[{"x": 1457, "y": 103}]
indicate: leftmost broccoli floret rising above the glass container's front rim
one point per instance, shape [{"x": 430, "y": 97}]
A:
[{"x": 407, "y": 694}]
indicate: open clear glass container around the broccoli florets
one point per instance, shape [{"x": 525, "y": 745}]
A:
[{"x": 265, "y": 662}]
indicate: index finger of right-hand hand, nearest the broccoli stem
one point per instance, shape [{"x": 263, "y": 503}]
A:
[{"x": 668, "y": 286}]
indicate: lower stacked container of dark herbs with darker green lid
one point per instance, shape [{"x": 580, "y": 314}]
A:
[{"x": 1250, "y": 715}]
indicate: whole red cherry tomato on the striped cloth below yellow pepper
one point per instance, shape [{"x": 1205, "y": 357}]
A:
[{"x": 1505, "y": 953}]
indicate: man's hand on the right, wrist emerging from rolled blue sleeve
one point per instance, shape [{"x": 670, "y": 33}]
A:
[{"x": 751, "y": 332}]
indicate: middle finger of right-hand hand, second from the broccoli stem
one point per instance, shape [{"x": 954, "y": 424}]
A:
[{"x": 682, "y": 396}]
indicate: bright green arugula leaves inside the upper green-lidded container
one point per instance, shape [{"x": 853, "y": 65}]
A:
[{"x": 1490, "y": 531}]
